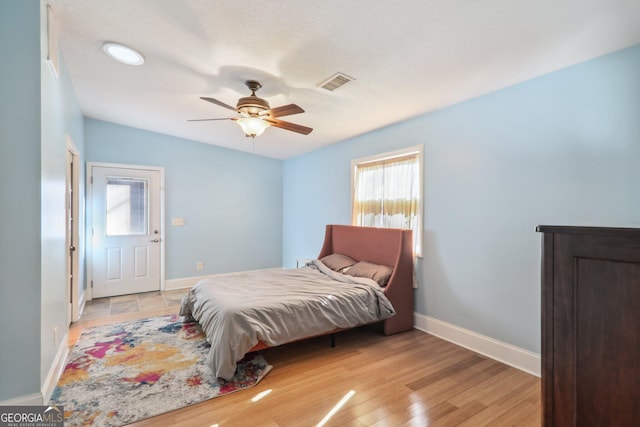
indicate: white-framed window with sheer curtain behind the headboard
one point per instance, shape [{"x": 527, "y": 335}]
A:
[{"x": 387, "y": 192}]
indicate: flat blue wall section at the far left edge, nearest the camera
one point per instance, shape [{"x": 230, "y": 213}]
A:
[{"x": 19, "y": 198}]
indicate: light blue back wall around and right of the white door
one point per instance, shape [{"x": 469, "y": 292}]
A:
[{"x": 231, "y": 201}]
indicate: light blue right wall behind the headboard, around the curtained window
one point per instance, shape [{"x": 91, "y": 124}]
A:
[{"x": 560, "y": 149}]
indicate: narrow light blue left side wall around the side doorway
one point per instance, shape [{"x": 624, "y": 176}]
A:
[{"x": 62, "y": 120}]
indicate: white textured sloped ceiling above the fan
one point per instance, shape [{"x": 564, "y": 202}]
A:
[{"x": 408, "y": 57}]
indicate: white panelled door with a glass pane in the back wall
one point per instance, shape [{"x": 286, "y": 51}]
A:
[{"x": 126, "y": 230}]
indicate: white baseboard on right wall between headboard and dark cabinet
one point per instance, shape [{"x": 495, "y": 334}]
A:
[{"x": 517, "y": 357}]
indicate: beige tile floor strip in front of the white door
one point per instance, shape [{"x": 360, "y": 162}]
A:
[{"x": 104, "y": 307}]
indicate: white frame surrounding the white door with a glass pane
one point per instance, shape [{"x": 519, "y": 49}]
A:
[{"x": 89, "y": 219}]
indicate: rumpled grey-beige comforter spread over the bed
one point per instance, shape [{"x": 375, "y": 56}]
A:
[{"x": 278, "y": 306}]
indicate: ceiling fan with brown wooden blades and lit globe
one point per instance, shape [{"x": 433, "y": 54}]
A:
[{"x": 256, "y": 115}]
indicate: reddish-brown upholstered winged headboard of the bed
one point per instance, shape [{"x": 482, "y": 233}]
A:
[{"x": 388, "y": 246}]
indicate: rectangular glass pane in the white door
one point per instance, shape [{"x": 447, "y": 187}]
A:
[{"x": 127, "y": 206}]
